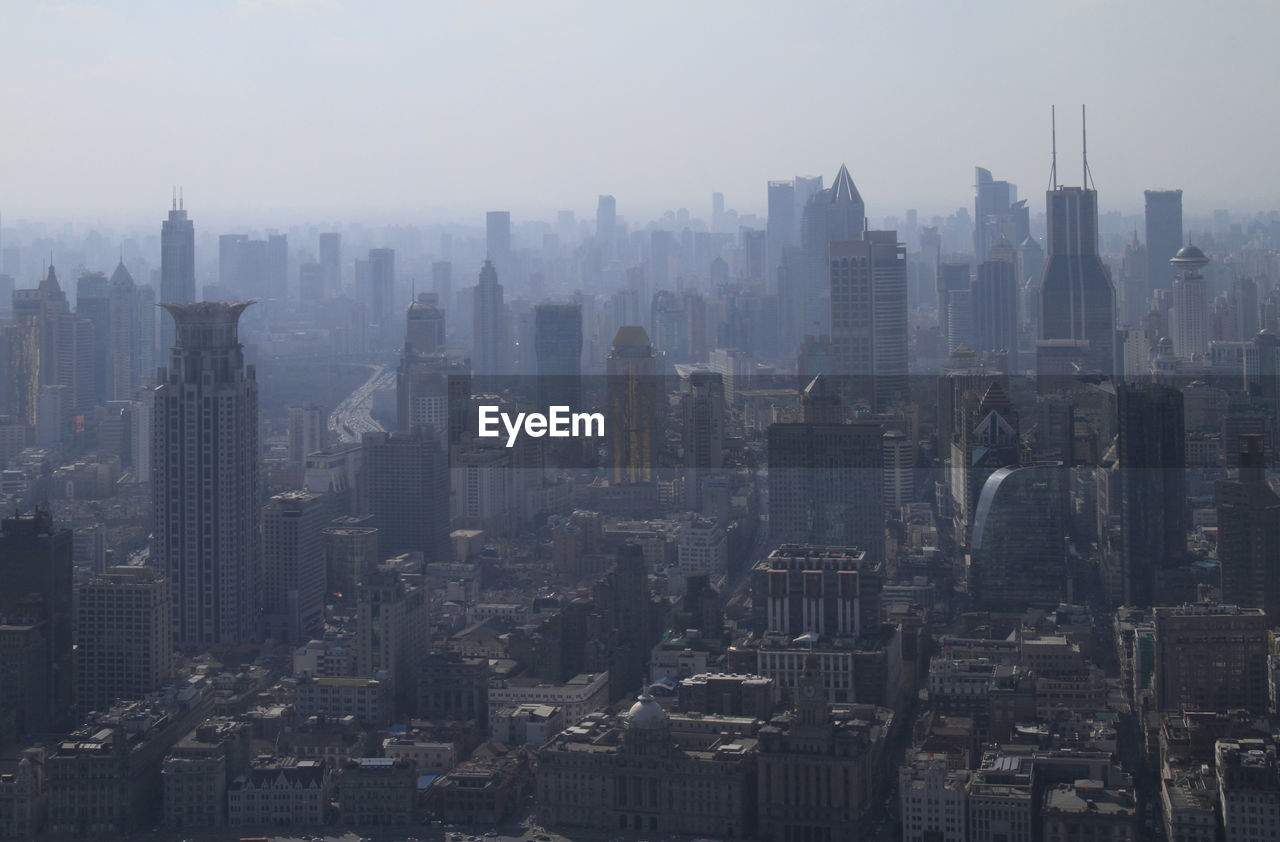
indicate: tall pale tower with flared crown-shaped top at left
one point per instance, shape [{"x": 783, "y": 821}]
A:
[{"x": 205, "y": 479}]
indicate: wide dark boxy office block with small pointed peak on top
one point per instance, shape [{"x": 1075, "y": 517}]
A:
[{"x": 826, "y": 477}]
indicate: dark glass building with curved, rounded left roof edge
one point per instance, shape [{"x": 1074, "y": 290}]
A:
[{"x": 1018, "y": 551}]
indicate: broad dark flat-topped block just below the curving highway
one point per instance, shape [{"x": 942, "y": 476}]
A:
[{"x": 408, "y": 487}]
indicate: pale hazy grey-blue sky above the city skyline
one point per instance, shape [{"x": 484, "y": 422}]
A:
[{"x": 308, "y": 107}]
